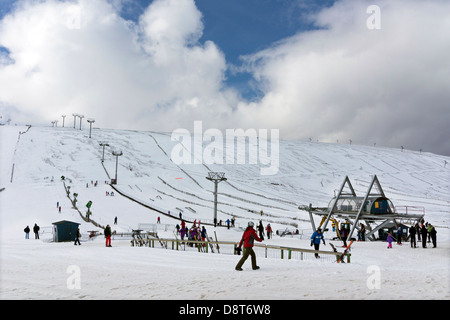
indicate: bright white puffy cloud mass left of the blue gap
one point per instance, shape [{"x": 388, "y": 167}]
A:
[{"x": 83, "y": 57}]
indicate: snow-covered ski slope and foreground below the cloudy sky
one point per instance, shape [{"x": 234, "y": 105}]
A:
[{"x": 308, "y": 173}]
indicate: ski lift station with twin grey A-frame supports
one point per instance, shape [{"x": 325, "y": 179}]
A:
[{"x": 374, "y": 210}]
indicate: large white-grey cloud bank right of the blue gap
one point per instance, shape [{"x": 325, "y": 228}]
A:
[{"x": 348, "y": 82}]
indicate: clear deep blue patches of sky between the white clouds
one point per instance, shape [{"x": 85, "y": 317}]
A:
[{"x": 242, "y": 27}]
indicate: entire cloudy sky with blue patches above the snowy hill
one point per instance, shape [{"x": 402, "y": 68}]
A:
[{"x": 312, "y": 69}]
